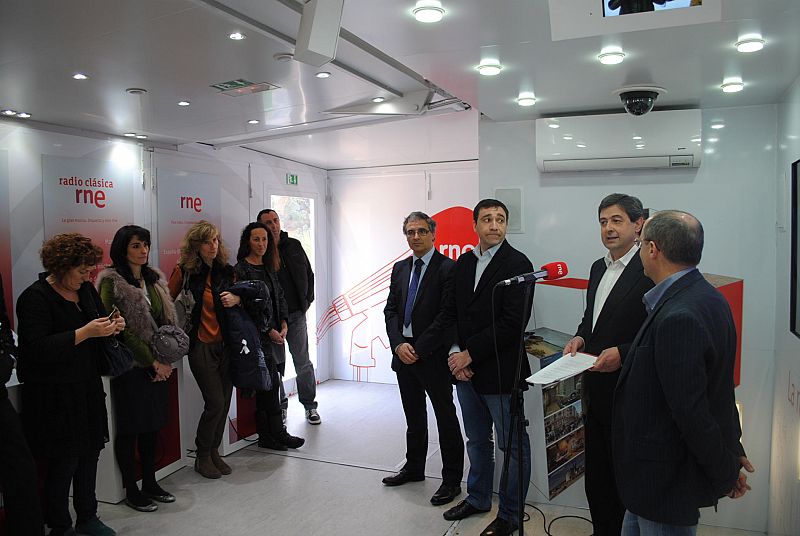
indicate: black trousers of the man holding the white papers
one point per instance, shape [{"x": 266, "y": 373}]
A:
[{"x": 601, "y": 486}]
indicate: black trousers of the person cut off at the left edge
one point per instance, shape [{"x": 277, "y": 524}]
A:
[{"x": 18, "y": 476}]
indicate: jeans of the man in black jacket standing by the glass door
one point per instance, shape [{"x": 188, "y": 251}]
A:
[{"x": 306, "y": 381}]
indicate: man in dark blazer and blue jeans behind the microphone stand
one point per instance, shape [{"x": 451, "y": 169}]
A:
[{"x": 485, "y": 395}]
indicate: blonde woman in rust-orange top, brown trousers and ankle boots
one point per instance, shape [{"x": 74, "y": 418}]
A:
[{"x": 203, "y": 268}]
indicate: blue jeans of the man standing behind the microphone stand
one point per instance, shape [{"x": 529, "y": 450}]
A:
[{"x": 480, "y": 413}]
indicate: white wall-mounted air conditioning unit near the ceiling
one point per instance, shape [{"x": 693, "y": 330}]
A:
[{"x": 669, "y": 139}]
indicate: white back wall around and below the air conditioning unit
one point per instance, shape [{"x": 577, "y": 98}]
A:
[{"x": 733, "y": 194}]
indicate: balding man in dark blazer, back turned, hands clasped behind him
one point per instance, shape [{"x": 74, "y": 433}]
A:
[{"x": 675, "y": 424}]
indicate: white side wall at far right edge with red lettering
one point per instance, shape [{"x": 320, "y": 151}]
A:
[{"x": 784, "y": 492}]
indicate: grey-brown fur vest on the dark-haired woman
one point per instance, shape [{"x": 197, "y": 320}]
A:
[{"x": 134, "y": 307}]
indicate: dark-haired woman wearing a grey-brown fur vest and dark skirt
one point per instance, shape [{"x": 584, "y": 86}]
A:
[{"x": 139, "y": 395}]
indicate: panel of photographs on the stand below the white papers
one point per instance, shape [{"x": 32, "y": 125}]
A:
[{"x": 564, "y": 433}]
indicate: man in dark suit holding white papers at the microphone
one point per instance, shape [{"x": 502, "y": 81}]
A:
[{"x": 614, "y": 313}]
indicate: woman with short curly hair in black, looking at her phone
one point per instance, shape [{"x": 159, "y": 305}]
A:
[{"x": 61, "y": 321}]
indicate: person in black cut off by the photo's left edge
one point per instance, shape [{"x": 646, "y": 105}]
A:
[{"x": 17, "y": 468}]
